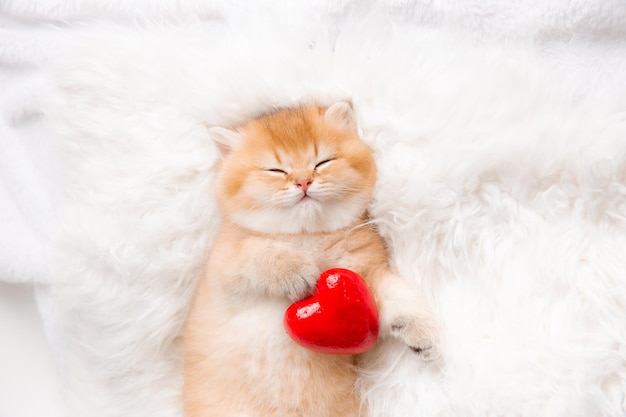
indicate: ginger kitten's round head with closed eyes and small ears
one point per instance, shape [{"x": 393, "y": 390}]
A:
[{"x": 298, "y": 170}]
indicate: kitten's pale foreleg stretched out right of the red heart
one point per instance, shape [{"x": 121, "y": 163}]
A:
[{"x": 405, "y": 314}]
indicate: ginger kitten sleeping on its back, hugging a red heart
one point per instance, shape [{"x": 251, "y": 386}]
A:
[{"x": 294, "y": 188}]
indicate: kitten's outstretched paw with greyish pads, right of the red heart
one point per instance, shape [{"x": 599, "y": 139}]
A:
[{"x": 421, "y": 336}]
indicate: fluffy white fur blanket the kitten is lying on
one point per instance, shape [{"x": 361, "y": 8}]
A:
[{"x": 500, "y": 134}]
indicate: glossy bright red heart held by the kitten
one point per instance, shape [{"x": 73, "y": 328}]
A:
[{"x": 340, "y": 317}]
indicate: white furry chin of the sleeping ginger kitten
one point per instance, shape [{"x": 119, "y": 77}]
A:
[{"x": 305, "y": 217}]
